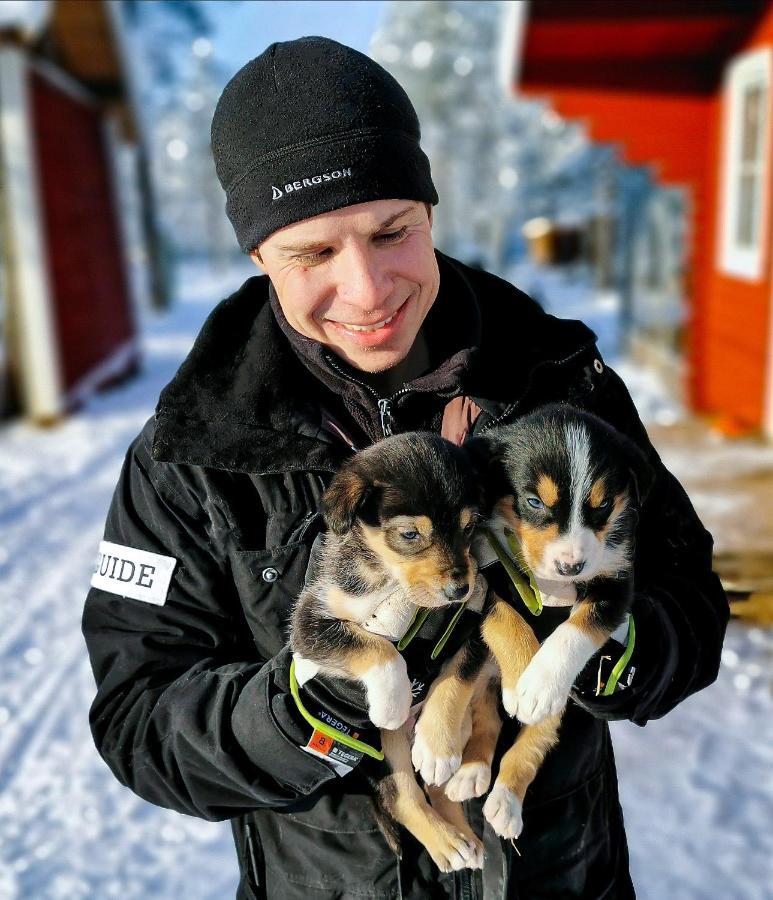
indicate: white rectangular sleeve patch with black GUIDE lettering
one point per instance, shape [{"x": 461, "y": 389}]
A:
[{"x": 130, "y": 572}]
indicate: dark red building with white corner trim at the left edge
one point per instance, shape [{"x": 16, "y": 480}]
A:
[{"x": 66, "y": 311}]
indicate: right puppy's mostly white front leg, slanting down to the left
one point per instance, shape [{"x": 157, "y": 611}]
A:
[{"x": 544, "y": 687}]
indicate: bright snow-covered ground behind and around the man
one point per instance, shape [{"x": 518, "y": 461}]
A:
[{"x": 697, "y": 786}]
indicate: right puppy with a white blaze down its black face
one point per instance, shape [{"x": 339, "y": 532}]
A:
[{"x": 564, "y": 489}]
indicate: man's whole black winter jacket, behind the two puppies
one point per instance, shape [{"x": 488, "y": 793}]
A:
[{"x": 192, "y": 705}]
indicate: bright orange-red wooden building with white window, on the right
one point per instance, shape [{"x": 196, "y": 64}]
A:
[{"x": 684, "y": 87}]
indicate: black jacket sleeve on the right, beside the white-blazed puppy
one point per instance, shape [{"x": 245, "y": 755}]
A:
[{"x": 680, "y": 609}]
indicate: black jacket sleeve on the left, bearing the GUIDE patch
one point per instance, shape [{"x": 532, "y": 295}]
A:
[{"x": 186, "y": 714}]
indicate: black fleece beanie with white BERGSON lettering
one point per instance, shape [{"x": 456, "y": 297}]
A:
[{"x": 310, "y": 126}]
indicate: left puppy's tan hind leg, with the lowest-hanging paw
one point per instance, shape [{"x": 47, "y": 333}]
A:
[{"x": 452, "y": 845}]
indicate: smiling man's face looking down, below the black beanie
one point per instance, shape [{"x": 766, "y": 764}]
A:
[{"x": 359, "y": 280}]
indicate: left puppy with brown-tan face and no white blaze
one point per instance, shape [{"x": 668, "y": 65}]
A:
[{"x": 400, "y": 517}]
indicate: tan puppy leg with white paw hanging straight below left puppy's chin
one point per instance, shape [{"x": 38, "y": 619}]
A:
[{"x": 438, "y": 740}]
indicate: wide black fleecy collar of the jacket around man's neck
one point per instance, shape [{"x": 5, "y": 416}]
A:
[{"x": 245, "y": 399}]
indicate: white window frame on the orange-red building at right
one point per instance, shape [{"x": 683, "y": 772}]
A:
[{"x": 748, "y": 70}]
